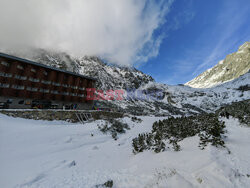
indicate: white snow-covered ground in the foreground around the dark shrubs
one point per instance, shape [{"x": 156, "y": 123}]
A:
[{"x": 58, "y": 154}]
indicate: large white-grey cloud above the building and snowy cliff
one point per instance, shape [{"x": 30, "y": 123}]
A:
[{"x": 122, "y": 31}]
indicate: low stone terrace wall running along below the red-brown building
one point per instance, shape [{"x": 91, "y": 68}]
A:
[{"x": 51, "y": 115}]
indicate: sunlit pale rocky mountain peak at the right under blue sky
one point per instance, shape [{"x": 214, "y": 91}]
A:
[{"x": 233, "y": 66}]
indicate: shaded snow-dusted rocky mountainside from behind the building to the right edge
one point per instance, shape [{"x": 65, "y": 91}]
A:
[{"x": 171, "y": 100}]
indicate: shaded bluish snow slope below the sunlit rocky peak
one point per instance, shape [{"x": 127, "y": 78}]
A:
[{"x": 206, "y": 99}]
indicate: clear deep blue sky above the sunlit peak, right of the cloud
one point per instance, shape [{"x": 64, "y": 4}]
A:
[{"x": 197, "y": 34}]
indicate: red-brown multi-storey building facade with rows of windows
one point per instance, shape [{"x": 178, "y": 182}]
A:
[{"x": 23, "y": 81}]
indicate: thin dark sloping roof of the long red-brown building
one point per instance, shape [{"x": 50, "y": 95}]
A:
[{"x": 42, "y": 65}]
